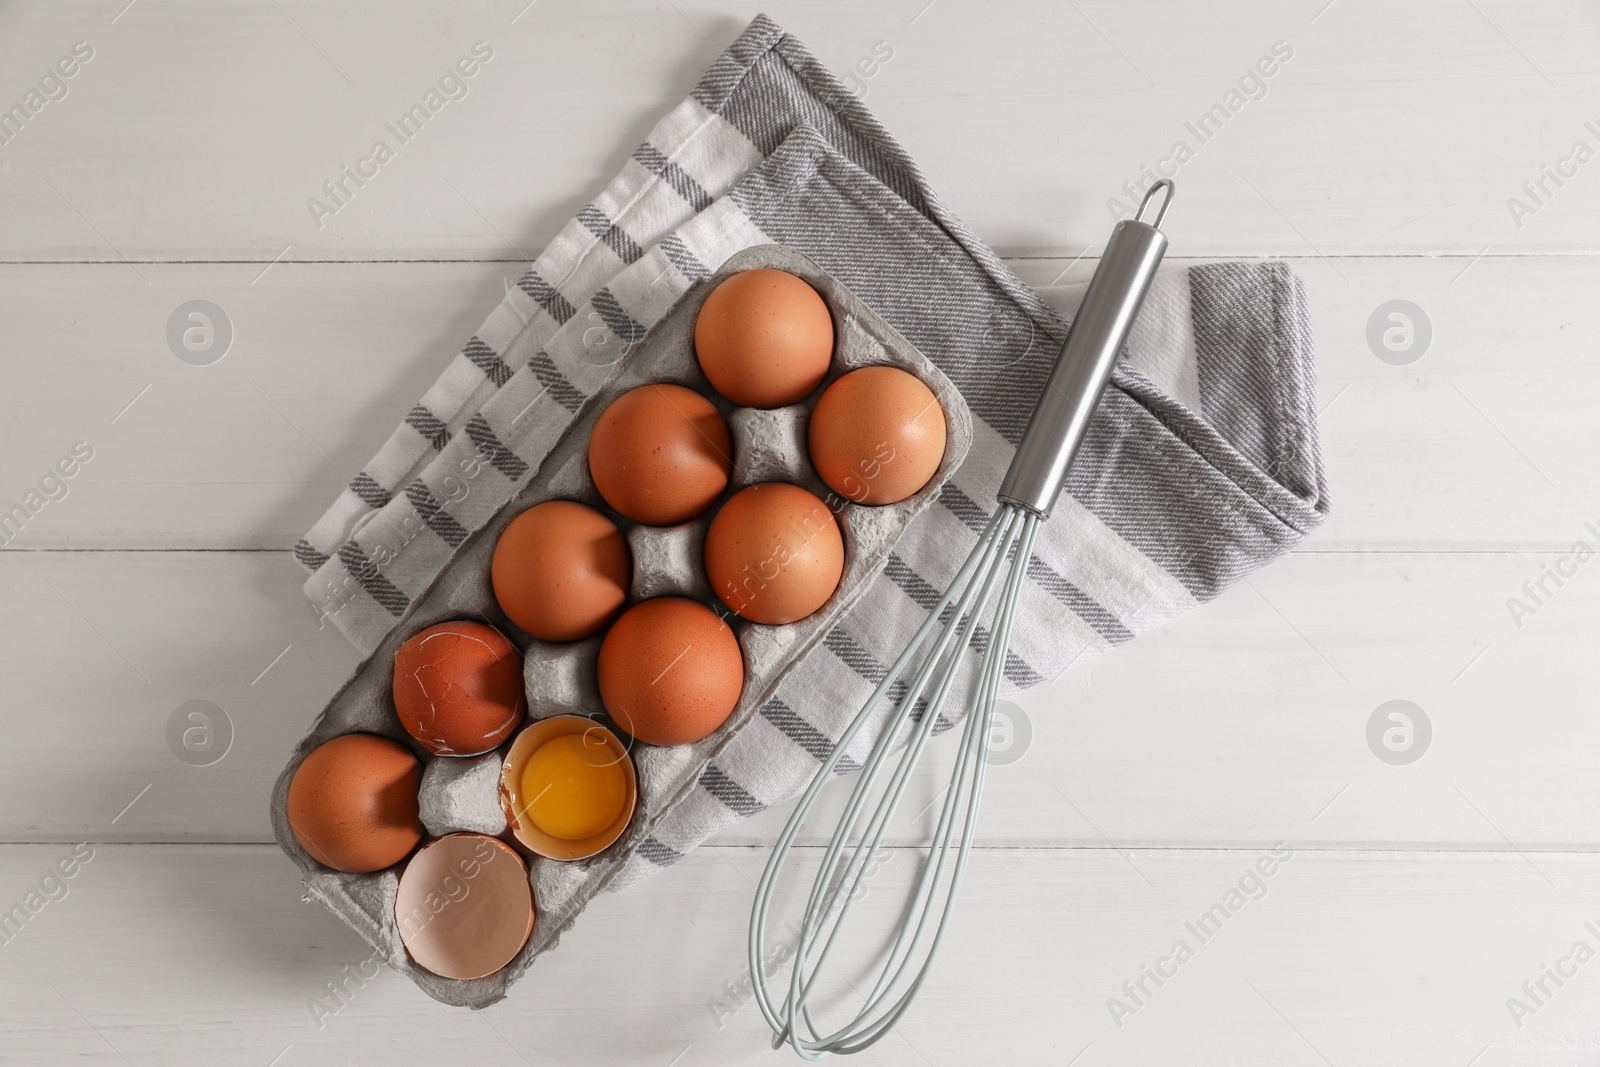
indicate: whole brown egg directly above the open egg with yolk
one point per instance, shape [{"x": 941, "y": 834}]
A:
[{"x": 671, "y": 671}]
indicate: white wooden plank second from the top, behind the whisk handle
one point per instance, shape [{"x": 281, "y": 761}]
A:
[{"x": 1482, "y": 446}]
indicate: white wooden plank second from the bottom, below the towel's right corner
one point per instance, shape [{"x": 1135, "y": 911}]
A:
[{"x": 1242, "y": 721}]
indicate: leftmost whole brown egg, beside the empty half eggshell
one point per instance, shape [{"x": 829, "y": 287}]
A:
[{"x": 353, "y": 804}]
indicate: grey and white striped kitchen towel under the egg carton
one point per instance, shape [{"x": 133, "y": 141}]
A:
[{"x": 1202, "y": 463}]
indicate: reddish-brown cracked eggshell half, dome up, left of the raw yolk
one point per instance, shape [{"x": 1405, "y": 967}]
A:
[{"x": 458, "y": 689}]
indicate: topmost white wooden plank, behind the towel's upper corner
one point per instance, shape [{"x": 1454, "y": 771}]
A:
[{"x": 1391, "y": 129}]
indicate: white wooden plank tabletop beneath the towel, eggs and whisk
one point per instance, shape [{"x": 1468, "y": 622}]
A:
[{"x": 1380, "y": 162}]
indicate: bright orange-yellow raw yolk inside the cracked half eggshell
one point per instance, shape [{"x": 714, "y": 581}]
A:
[{"x": 575, "y": 788}]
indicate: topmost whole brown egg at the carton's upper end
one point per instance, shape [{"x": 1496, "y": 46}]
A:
[{"x": 764, "y": 338}]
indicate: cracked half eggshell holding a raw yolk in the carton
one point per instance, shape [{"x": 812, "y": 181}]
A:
[{"x": 569, "y": 788}]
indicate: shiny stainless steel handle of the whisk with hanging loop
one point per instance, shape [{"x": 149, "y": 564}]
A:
[{"x": 1087, "y": 358}]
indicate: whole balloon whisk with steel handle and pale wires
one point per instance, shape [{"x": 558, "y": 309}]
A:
[{"x": 999, "y": 562}]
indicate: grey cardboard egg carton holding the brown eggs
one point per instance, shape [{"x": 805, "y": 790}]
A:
[{"x": 463, "y": 794}]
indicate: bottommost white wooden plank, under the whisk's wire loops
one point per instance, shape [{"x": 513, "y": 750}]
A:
[{"x": 204, "y": 956}]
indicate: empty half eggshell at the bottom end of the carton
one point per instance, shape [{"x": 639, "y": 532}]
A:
[{"x": 465, "y": 906}]
